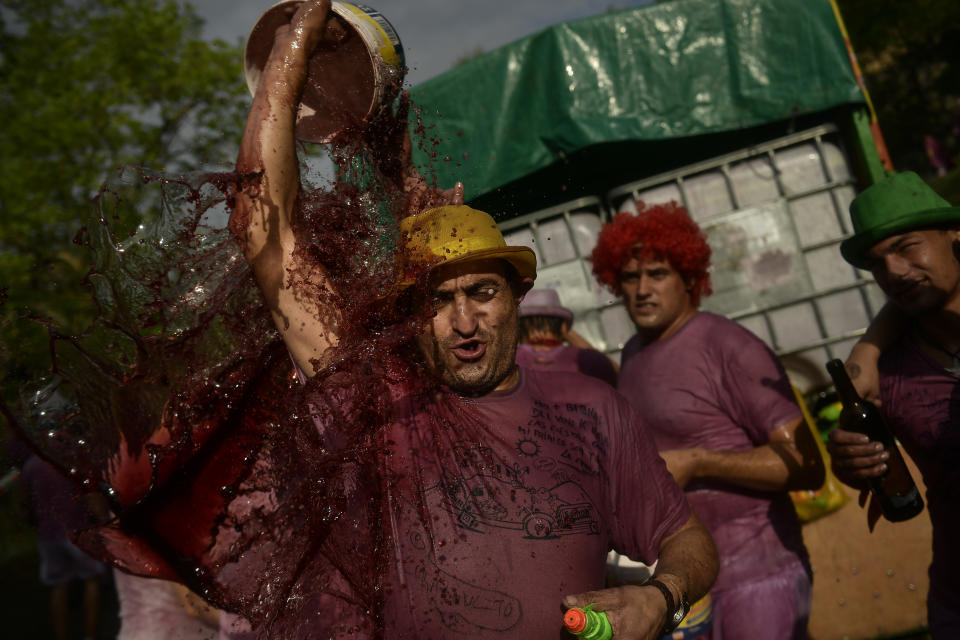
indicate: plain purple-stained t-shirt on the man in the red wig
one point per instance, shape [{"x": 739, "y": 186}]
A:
[{"x": 715, "y": 385}]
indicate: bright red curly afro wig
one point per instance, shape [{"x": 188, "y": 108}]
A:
[{"x": 664, "y": 232}]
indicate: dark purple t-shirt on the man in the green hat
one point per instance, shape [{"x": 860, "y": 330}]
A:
[{"x": 921, "y": 403}]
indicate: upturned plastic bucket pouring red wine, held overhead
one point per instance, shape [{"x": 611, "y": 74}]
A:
[{"x": 347, "y": 81}]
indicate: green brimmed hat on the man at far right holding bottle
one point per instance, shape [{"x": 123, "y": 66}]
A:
[{"x": 896, "y": 204}]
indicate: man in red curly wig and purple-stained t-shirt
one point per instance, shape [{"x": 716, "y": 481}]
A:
[{"x": 723, "y": 415}]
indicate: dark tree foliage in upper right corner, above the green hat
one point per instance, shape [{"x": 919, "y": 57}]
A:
[{"x": 908, "y": 52}]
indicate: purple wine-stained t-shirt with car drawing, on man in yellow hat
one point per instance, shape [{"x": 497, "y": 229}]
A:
[{"x": 502, "y": 505}]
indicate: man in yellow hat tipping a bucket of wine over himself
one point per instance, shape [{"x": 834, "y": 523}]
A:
[{"x": 498, "y": 490}]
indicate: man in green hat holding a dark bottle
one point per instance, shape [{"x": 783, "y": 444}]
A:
[{"x": 909, "y": 238}]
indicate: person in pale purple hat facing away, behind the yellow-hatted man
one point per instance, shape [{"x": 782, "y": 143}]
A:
[{"x": 548, "y": 341}]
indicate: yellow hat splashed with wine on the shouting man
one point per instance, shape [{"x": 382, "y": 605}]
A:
[{"x": 456, "y": 233}]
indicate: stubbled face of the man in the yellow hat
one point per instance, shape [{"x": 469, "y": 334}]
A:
[{"x": 471, "y": 341}]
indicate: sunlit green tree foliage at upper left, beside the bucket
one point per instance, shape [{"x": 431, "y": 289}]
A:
[{"x": 88, "y": 86}]
